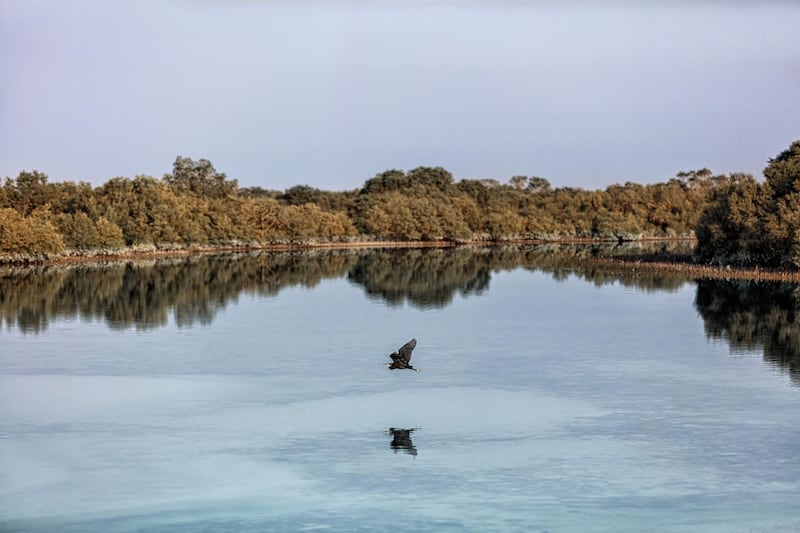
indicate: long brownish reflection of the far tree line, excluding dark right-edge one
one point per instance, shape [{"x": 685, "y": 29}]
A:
[{"x": 144, "y": 294}]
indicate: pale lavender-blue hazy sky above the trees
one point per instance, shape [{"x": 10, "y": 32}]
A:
[{"x": 331, "y": 93}]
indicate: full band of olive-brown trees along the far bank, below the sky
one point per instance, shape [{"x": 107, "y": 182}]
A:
[{"x": 734, "y": 217}]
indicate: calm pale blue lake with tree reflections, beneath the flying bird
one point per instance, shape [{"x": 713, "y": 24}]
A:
[{"x": 247, "y": 393}]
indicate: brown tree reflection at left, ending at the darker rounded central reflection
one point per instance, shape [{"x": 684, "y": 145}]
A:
[{"x": 142, "y": 294}]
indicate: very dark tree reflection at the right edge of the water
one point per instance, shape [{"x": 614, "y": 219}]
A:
[{"x": 754, "y": 316}]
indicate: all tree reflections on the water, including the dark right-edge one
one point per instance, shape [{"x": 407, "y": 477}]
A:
[{"x": 191, "y": 291}]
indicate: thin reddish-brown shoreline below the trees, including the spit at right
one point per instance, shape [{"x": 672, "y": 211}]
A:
[{"x": 626, "y": 266}]
